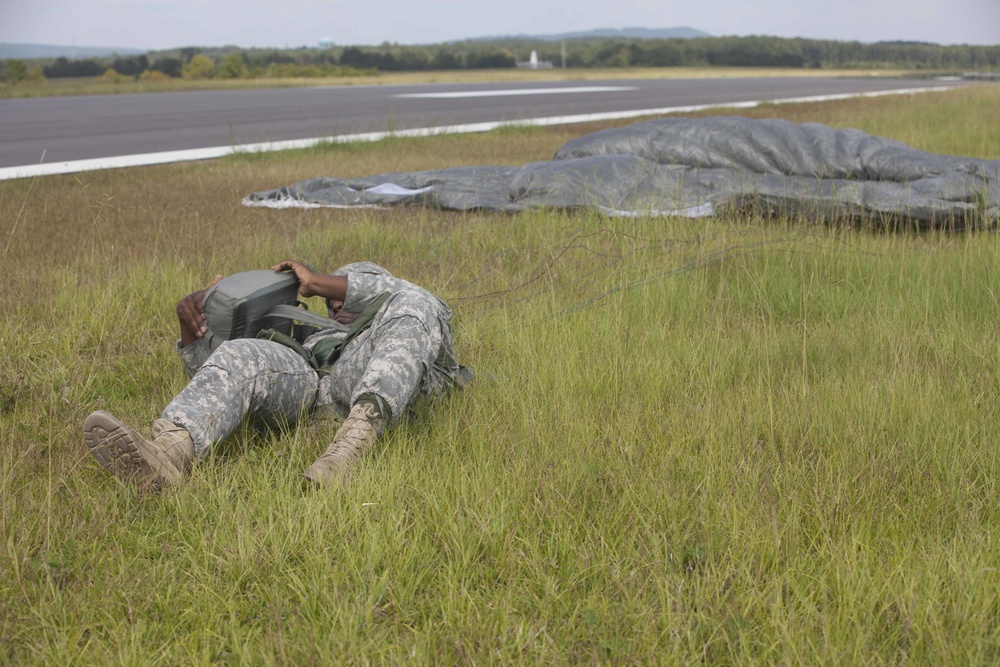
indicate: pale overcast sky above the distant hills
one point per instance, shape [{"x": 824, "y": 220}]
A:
[{"x": 159, "y": 24}]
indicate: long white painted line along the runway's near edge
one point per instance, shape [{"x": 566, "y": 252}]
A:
[{"x": 146, "y": 159}]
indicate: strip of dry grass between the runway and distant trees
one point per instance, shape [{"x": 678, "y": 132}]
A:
[{"x": 95, "y": 86}]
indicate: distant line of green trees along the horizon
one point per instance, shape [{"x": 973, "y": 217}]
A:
[{"x": 754, "y": 51}]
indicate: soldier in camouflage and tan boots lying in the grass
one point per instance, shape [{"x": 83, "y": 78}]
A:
[{"x": 405, "y": 352}]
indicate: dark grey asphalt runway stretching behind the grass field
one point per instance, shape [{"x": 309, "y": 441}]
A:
[{"x": 76, "y": 128}]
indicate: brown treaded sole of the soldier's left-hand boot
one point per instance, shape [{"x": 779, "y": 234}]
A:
[{"x": 118, "y": 449}]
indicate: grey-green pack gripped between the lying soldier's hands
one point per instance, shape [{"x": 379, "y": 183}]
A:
[{"x": 241, "y": 305}]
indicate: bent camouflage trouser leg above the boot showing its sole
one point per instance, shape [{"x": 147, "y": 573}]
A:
[{"x": 243, "y": 377}]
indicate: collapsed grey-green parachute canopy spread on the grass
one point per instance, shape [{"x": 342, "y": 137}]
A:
[{"x": 697, "y": 167}]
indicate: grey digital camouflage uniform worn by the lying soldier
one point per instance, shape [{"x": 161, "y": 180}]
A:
[{"x": 406, "y": 351}]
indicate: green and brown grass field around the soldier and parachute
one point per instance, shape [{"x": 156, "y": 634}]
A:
[{"x": 723, "y": 441}]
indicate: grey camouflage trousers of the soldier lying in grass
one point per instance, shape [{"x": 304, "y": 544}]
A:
[{"x": 273, "y": 384}]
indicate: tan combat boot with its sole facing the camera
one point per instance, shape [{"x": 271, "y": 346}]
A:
[{"x": 150, "y": 464}]
